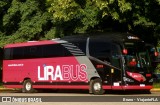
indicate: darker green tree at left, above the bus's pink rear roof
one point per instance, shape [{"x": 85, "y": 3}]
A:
[{"x": 25, "y": 20}]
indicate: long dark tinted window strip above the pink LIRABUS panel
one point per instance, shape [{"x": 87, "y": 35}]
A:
[{"x": 40, "y": 51}]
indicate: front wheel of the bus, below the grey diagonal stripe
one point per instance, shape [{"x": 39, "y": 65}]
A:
[{"x": 96, "y": 87}]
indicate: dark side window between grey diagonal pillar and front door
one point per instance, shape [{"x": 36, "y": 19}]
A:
[{"x": 100, "y": 50}]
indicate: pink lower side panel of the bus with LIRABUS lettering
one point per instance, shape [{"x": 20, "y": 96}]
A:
[{"x": 56, "y": 71}]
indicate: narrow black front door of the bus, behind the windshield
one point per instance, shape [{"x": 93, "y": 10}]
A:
[{"x": 116, "y": 72}]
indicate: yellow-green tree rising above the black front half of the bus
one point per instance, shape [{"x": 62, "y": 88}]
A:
[{"x": 121, "y": 15}]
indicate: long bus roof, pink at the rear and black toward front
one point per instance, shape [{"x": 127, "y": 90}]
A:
[{"x": 99, "y": 36}]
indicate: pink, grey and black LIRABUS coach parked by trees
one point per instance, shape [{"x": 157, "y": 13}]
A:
[{"x": 97, "y": 63}]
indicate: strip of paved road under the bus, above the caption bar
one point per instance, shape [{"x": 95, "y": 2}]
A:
[{"x": 77, "y": 93}]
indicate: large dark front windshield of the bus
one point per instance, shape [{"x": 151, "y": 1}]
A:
[{"x": 137, "y": 57}]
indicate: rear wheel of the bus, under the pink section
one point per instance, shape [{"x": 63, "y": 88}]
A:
[{"x": 27, "y": 86}]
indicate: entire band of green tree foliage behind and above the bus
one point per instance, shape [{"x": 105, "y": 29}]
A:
[{"x": 23, "y": 20}]
